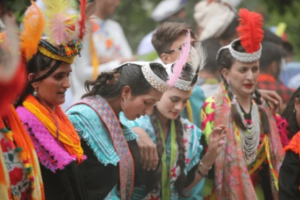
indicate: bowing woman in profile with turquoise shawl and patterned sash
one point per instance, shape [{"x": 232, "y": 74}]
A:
[{"x": 112, "y": 168}]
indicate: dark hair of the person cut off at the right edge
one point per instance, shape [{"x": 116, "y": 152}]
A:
[{"x": 289, "y": 114}]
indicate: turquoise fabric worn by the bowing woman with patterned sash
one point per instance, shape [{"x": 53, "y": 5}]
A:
[{"x": 90, "y": 128}]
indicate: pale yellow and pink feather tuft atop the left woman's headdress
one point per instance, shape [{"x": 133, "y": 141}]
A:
[{"x": 61, "y": 26}]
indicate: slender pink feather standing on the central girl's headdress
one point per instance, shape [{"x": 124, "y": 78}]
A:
[{"x": 181, "y": 61}]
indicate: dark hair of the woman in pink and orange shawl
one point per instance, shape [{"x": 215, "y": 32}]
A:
[{"x": 37, "y": 63}]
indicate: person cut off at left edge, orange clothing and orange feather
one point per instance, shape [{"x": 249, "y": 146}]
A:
[{"x": 20, "y": 176}]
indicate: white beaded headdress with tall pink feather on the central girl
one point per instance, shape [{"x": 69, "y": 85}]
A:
[{"x": 191, "y": 56}]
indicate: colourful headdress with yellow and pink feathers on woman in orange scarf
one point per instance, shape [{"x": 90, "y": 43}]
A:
[{"x": 64, "y": 30}]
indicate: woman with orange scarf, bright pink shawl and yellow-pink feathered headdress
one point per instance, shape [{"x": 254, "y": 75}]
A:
[{"x": 54, "y": 138}]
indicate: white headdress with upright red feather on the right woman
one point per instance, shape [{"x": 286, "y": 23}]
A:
[{"x": 250, "y": 36}]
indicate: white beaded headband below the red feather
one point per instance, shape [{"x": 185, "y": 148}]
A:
[{"x": 241, "y": 56}]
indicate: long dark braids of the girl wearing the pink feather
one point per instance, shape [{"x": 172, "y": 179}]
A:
[{"x": 187, "y": 75}]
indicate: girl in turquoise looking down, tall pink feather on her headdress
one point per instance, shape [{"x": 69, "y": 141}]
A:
[{"x": 177, "y": 139}]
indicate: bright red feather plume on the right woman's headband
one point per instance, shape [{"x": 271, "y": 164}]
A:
[{"x": 250, "y": 30}]
